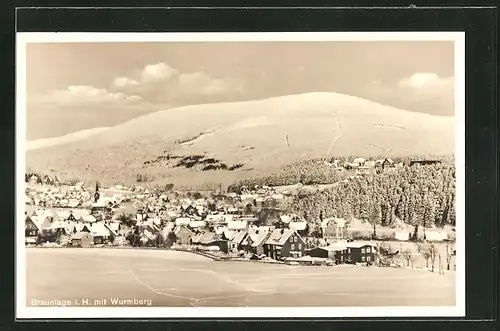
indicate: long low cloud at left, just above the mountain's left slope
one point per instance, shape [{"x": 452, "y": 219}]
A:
[{"x": 86, "y": 94}]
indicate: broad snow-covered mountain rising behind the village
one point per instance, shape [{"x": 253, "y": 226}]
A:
[{"x": 237, "y": 139}]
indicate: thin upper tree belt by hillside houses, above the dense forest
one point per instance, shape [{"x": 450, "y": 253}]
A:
[{"x": 318, "y": 171}]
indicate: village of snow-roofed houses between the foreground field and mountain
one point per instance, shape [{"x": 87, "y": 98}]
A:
[{"x": 250, "y": 225}]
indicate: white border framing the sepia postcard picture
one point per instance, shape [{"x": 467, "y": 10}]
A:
[{"x": 25, "y": 312}]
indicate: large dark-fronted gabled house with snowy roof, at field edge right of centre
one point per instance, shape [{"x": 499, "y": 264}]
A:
[{"x": 284, "y": 243}]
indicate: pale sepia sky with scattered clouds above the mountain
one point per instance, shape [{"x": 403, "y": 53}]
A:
[{"x": 78, "y": 86}]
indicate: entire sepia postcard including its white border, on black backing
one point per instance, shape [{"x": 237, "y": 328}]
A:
[{"x": 240, "y": 174}]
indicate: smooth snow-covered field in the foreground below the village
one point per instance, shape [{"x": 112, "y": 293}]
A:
[{"x": 178, "y": 279}]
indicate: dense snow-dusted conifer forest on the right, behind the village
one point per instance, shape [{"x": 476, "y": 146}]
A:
[{"x": 418, "y": 196}]
